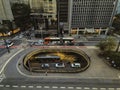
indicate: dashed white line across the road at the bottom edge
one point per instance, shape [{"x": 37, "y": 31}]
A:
[{"x": 58, "y": 87}]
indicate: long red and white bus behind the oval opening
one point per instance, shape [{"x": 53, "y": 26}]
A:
[{"x": 59, "y": 41}]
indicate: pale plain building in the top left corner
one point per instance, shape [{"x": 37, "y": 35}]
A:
[{"x": 5, "y": 10}]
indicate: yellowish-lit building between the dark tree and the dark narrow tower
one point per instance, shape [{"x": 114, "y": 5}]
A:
[{"x": 43, "y": 11}]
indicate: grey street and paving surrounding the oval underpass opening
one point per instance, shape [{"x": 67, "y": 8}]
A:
[{"x": 99, "y": 76}]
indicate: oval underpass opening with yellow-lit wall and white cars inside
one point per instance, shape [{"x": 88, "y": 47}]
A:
[{"x": 56, "y": 61}]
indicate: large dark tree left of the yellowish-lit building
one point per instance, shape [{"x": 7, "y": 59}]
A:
[{"x": 21, "y": 13}]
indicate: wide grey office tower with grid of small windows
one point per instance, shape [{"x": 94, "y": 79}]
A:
[{"x": 91, "y": 13}]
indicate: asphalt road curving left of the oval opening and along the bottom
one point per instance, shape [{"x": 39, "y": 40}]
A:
[{"x": 15, "y": 81}]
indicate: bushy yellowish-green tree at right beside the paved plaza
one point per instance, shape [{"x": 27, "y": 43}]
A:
[{"x": 108, "y": 44}]
